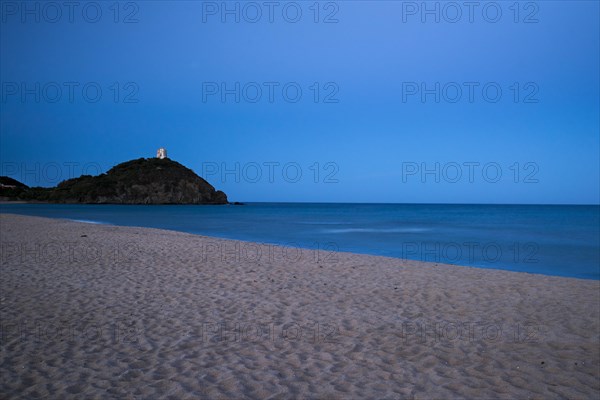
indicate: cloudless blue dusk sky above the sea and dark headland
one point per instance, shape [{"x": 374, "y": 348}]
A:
[{"x": 435, "y": 102}]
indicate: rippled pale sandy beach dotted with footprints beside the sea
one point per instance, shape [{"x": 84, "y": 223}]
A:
[{"x": 98, "y": 311}]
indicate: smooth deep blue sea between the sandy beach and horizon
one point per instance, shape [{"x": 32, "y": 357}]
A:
[{"x": 551, "y": 240}]
